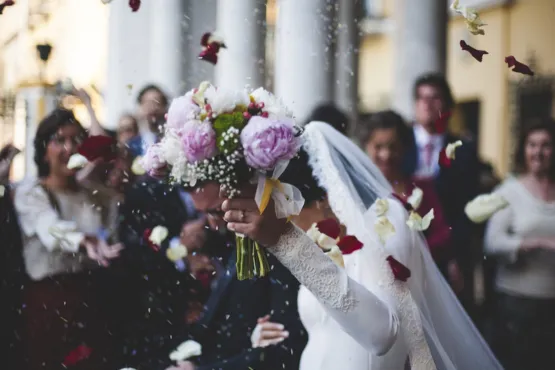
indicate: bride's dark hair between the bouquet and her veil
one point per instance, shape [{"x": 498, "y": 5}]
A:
[{"x": 300, "y": 174}]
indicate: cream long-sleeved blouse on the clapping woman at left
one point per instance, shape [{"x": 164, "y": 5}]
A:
[{"x": 51, "y": 238}]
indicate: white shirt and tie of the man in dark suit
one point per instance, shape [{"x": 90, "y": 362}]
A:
[{"x": 429, "y": 146}]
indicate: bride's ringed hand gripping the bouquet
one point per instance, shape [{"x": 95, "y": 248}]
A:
[{"x": 243, "y": 217}]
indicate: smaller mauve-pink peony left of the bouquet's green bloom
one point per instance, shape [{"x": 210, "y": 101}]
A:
[{"x": 198, "y": 140}]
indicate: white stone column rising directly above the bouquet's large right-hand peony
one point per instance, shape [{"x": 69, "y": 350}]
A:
[{"x": 304, "y": 59}]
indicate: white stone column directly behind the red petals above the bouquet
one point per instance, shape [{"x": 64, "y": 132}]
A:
[{"x": 242, "y": 24}]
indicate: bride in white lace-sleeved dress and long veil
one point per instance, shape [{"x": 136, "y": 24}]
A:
[{"x": 360, "y": 317}]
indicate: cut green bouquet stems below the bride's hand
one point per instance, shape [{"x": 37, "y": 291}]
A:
[{"x": 251, "y": 259}]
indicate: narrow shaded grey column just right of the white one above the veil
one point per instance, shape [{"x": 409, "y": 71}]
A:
[{"x": 346, "y": 58}]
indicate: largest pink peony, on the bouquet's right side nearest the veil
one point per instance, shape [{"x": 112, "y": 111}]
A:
[{"x": 266, "y": 142}]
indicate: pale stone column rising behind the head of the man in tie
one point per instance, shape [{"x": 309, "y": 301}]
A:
[{"x": 420, "y": 46}]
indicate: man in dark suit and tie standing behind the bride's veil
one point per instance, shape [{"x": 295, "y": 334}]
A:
[{"x": 455, "y": 185}]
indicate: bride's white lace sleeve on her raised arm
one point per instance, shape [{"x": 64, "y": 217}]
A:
[{"x": 362, "y": 314}]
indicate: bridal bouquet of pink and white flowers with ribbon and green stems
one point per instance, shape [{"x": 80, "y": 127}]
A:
[{"x": 231, "y": 137}]
